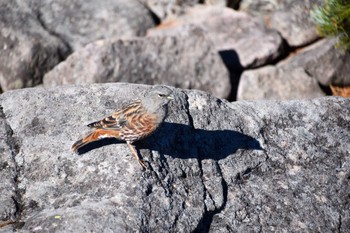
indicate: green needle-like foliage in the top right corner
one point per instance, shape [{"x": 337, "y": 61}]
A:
[{"x": 333, "y": 19}]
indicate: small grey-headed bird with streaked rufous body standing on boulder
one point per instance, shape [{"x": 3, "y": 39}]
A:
[{"x": 132, "y": 123}]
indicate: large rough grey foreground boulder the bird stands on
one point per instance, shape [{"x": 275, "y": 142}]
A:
[{"x": 214, "y": 166}]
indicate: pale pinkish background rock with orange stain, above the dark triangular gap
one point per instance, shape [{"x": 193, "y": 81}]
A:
[{"x": 230, "y": 31}]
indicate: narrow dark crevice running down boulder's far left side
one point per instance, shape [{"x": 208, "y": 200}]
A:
[{"x": 14, "y": 146}]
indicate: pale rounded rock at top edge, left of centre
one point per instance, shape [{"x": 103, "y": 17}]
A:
[{"x": 81, "y": 22}]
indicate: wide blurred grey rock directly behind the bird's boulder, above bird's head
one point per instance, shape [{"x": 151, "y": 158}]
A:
[{"x": 182, "y": 61}]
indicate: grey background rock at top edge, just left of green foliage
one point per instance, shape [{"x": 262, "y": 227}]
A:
[{"x": 289, "y": 17}]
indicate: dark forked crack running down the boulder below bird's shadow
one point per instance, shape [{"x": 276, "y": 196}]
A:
[{"x": 208, "y": 216}]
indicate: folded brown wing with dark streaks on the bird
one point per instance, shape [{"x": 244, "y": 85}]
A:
[{"x": 118, "y": 119}]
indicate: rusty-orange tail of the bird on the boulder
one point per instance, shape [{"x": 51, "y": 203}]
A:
[{"x": 94, "y": 136}]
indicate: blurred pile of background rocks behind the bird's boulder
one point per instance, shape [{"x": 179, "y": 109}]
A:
[{"x": 246, "y": 50}]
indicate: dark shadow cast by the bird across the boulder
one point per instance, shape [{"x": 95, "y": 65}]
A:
[{"x": 183, "y": 141}]
